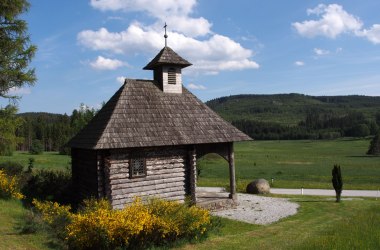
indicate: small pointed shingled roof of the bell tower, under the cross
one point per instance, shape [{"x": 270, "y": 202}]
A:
[{"x": 167, "y": 57}]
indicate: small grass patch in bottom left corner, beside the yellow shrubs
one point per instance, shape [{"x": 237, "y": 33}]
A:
[{"x": 12, "y": 214}]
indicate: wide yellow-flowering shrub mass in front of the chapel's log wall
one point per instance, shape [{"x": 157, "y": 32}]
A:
[{"x": 138, "y": 225}]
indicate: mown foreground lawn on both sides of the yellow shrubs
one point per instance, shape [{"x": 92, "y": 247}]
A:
[{"x": 320, "y": 223}]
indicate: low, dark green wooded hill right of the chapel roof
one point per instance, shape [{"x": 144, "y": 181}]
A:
[{"x": 296, "y": 116}]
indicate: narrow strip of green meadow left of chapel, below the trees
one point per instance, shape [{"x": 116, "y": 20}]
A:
[{"x": 47, "y": 160}]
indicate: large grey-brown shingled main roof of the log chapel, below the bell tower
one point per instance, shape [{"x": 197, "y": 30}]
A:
[{"x": 139, "y": 114}]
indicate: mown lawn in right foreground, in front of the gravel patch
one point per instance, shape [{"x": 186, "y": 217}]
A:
[{"x": 319, "y": 224}]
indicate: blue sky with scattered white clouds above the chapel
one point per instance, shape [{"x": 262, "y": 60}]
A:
[{"x": 236, "y": 47}]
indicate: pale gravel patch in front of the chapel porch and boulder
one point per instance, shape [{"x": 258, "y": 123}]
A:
[{"x": 259, "y": 210}]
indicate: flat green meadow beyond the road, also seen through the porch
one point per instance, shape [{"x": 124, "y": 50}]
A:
[{"x": 296, "y": 164}]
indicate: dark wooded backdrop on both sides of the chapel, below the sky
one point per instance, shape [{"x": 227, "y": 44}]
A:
[{"x": 263, "y": 117}]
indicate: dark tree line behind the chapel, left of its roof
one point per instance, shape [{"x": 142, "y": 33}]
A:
[{"x": 52, "y": 131}]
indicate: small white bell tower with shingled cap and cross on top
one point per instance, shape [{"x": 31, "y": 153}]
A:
[{"x": 167, "y": 67}]
